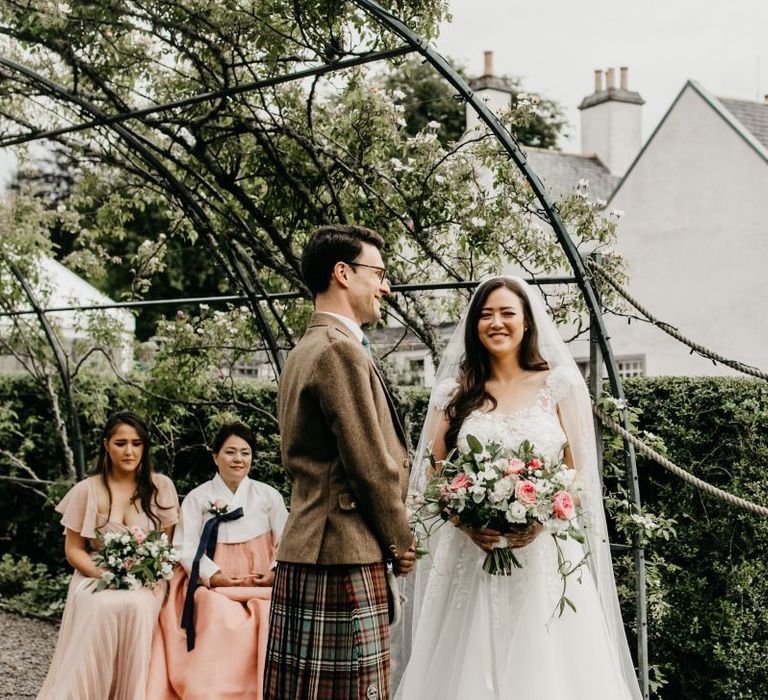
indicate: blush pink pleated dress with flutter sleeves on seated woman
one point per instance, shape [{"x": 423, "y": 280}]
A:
[{"x": 105, "y": 638}]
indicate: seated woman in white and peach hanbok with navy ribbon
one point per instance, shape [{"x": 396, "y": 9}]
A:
[{"x": 211, "y": 641}]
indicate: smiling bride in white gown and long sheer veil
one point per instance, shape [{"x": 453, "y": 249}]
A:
[{"x": 507, "y": 376}]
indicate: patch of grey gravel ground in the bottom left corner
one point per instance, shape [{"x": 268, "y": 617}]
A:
[{"x": 26, "y": 648}]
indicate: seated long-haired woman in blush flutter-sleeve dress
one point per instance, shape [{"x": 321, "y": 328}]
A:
[{"x": 104, "y": 643}]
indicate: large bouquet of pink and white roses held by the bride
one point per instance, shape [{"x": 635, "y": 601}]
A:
[{"x": 509, "y": 491}]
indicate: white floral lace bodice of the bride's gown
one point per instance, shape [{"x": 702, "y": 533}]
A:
[{"x": 537, "y": 423}]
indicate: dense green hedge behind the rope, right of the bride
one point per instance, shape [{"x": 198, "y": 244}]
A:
[{"x": 708, "y": 631}]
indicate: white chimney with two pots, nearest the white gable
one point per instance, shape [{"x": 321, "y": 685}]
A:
[{"x": 611, "y": 122}]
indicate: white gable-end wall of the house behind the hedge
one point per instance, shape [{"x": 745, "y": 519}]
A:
[{"x": 695, "y": 235}]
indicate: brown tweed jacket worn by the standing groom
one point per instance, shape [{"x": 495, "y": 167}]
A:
[{"x": 345, "y": 450}]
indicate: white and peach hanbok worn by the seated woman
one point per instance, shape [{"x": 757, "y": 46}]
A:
[{"x": 231, "y": 623}]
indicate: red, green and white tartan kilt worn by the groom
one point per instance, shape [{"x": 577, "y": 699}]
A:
[{"x": 329, "y": 633}]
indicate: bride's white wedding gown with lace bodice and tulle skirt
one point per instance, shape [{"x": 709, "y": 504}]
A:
[{"x": 481, "y": 636}]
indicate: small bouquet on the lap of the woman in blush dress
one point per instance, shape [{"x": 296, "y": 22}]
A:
[{"x": 135, "y": 559}]
